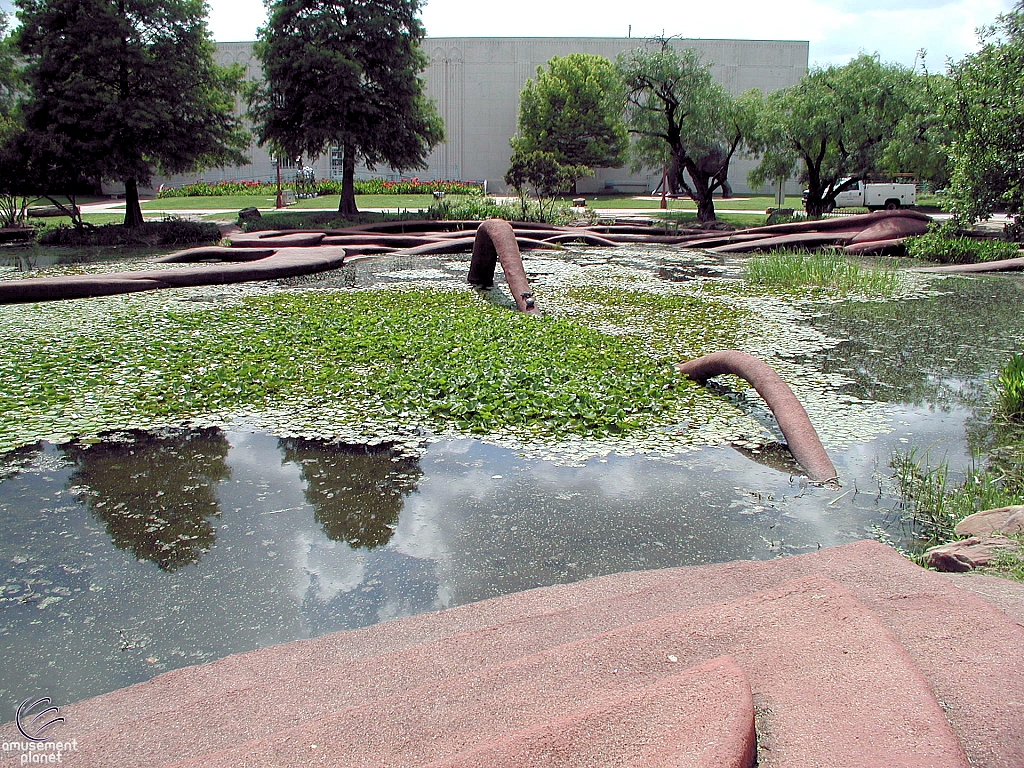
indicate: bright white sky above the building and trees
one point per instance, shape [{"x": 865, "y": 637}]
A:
[{"x": 838, "y": 30}]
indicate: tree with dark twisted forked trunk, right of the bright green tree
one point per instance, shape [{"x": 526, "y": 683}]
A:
[{"x": 682, "y": 120}]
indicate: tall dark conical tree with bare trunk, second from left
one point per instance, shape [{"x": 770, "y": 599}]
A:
[{"x": 346, "y": 74}]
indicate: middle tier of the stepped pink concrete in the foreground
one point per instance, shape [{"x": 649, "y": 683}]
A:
[{"x": 835, "y": 689}]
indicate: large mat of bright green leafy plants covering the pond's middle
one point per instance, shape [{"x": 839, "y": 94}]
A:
[{"x": 399, "y": 360}]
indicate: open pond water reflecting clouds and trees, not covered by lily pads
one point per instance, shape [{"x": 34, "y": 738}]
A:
[{"x": 153, "y": 550}]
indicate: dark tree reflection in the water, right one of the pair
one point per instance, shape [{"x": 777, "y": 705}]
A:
[{"x": 357, "y": 492}]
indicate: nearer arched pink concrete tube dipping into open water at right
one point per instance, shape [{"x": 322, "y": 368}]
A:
[{"x": 792, "y": 418}]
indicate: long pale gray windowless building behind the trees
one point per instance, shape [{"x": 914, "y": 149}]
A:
[{"x": 476, "y": 83}]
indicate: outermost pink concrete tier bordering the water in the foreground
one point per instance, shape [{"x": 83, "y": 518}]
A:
[{"x": 967, "y": 651}]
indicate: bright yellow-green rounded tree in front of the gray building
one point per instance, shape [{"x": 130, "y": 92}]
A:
[{"x": 574, "y": 111}]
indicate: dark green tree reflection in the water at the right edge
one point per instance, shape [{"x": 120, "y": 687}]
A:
[{"x": 926, "y": 352}]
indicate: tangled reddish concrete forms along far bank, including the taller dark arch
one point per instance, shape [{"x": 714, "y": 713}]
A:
[{"x": 274, "y": 254}]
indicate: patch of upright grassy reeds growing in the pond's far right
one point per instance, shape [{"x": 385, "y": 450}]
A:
[{"x": 794, "y": 271}]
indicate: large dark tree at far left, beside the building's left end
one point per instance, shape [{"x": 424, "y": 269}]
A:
[{"x": 124, "y": 89}]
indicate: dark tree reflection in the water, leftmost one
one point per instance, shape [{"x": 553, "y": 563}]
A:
[{"x": 154, "y": 492}]
